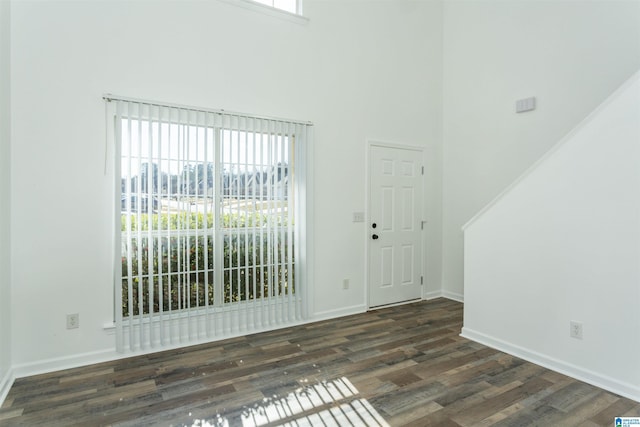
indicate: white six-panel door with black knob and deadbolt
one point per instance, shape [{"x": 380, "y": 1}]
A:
[{"x": 395, "y": 225}]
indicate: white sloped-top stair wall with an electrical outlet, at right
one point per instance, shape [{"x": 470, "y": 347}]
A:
[{"x": 561, "y": 245}]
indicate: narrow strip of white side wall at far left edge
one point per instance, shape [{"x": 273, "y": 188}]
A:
[{"x": 5, "y": 195}]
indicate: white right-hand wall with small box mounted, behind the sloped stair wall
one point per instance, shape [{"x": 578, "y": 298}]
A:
[{"x": 569, "y": 54}]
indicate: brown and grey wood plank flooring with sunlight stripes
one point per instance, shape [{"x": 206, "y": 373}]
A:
[{"x": 399, "y": 366}]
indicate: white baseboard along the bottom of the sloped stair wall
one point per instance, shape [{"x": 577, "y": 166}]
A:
[{"x": 622, "y": 388}]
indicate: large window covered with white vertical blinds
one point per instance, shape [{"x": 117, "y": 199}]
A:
[{"x": 210, "y": 225}]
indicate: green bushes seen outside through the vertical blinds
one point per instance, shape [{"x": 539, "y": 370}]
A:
[{"x": 177, "y": 259}]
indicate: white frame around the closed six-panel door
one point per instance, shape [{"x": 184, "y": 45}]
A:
[{"x": 367, "y": 229}]
